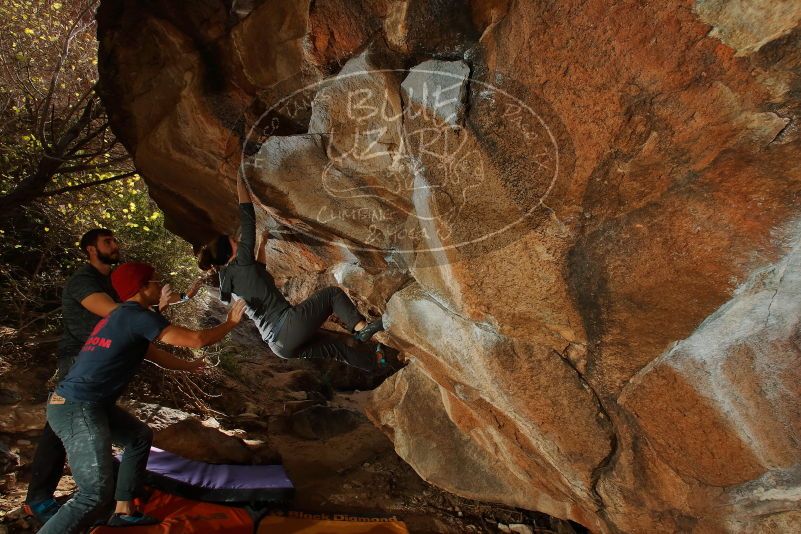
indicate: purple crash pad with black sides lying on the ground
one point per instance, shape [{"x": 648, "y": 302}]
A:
[{"x": 217, "y": 482}]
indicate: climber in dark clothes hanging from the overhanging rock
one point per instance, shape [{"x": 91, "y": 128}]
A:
[{"x": 290, "y": 331}]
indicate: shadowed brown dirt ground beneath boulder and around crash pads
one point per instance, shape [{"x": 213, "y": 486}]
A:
[{"x": 338, "y": 461}]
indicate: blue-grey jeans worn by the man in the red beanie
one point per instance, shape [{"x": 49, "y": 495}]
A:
[{"x": 87, "y": 430}]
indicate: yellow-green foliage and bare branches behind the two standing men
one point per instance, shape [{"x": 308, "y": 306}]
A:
[{"x": 48, "y": 71}]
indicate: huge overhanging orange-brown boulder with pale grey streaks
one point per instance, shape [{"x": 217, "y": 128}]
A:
[{"x": 580, "y": 221}]
